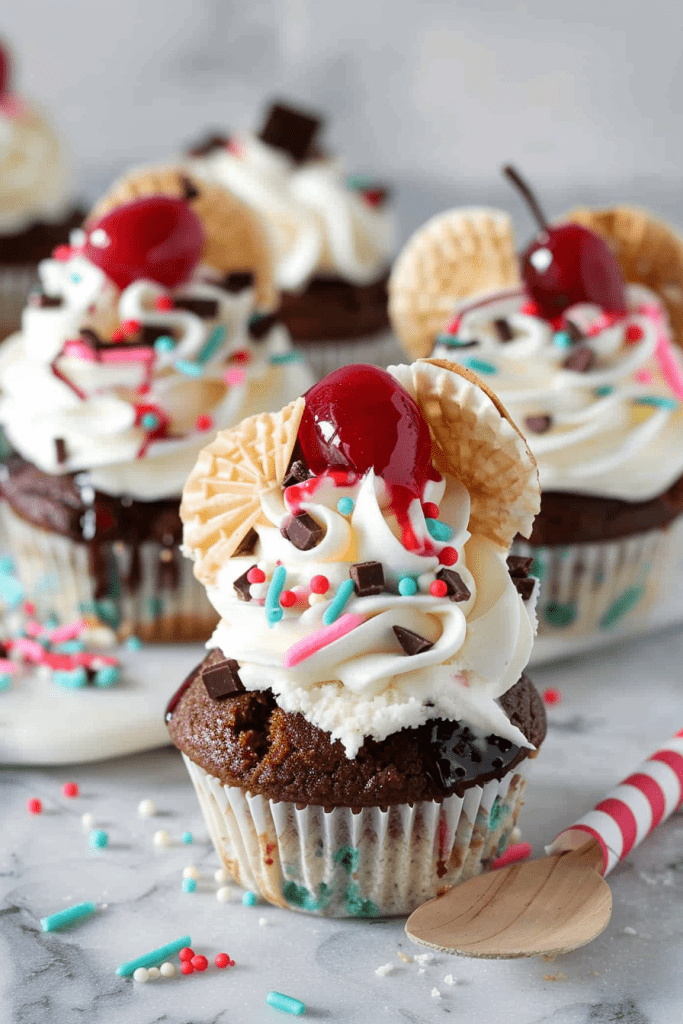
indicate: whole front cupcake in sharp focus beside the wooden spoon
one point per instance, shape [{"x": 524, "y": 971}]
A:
[{"x": 360, "y": 733}]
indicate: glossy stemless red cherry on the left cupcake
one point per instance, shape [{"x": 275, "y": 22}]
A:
[{"x": 159, "y": 239}]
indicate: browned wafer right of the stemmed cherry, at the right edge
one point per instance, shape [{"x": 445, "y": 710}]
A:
[{"x": 649, "y": 252}]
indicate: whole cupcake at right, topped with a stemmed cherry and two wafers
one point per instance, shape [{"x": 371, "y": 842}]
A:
[{"x": 590, "y": 369}]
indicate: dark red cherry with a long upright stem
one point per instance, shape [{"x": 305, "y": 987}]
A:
[{"x": 568, "y": 264}]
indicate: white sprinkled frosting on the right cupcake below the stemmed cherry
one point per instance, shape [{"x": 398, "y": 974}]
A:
[{"x": 616, "y": 431}]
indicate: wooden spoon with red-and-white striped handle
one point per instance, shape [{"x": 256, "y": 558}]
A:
[{"x": 562, "y": 902}]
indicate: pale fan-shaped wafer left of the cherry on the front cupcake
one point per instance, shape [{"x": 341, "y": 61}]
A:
[{"x": 222, "y": 498}]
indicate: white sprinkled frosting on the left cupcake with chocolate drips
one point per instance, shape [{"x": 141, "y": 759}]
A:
[{"x": 97, "y": 406}]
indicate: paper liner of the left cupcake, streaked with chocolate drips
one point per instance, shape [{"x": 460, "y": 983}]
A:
[{"x": 56, "y": 575}]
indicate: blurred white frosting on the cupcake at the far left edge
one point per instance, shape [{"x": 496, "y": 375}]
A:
[{"x": 35, "y": 173}]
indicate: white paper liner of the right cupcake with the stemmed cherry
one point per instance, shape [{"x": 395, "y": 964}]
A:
[{"x": 593, "y": 594}]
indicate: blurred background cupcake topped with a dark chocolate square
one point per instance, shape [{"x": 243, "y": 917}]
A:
[{"x": 333, "y": 235}]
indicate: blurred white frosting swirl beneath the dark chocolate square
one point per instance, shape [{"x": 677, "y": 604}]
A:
[{"x": 318, "y": 225}]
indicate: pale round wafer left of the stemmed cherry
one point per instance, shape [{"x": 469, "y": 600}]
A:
[{"x": 455, "y": 255}]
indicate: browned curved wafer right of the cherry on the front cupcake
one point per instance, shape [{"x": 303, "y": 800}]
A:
[{"x": 476, "y": 442}]
